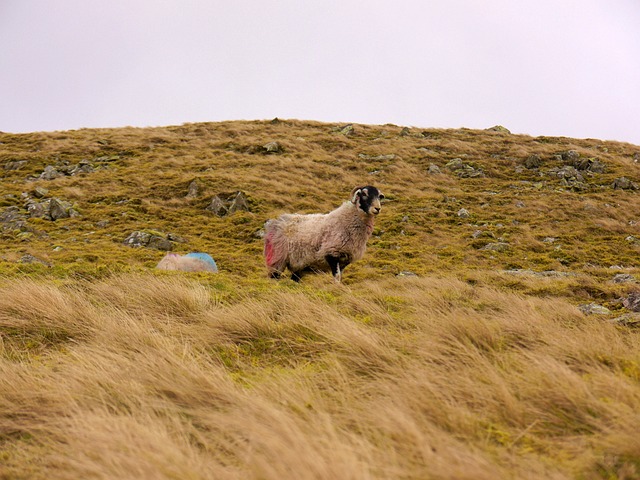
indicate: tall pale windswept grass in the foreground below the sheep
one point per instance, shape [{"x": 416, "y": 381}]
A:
[{"x": 163, "y": 376}]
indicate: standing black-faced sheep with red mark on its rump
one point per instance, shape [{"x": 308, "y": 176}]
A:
[{"x": 322, "y": 242}]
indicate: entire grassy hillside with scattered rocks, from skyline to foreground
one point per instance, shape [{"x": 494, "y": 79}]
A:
[{"x": 457, "y": 348}]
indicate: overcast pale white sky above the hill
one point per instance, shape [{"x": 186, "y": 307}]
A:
[{"x": 539, "y": 67}]
